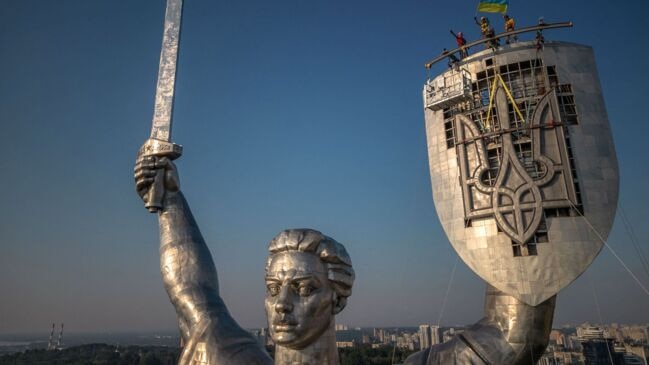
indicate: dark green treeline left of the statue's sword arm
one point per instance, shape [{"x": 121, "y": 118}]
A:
[{"x": 96, "y": 354}]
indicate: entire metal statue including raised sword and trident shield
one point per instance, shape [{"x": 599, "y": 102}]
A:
[{"x": 521, "y": 219}]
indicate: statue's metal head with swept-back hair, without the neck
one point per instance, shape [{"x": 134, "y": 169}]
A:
[{"x": 308, "y": 279}]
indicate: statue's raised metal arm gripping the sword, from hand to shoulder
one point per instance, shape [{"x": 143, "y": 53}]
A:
[{"x": 209, "y": 333}]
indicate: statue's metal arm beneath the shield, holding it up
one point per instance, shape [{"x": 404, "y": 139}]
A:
[{"x": 510, "y": 333}]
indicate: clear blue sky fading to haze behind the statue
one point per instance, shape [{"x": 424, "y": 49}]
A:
[{"x": 292, "y": 114}]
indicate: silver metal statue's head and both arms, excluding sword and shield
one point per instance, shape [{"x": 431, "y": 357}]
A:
[{"x": 309, "y": 277}]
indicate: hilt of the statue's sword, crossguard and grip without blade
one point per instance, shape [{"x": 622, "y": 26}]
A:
[{"x": 153, "y": 200}]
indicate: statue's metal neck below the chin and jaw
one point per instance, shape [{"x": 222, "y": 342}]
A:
[{"x": 321, "y": 352}]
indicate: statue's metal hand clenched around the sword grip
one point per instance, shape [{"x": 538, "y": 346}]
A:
[{"x": 146, "y": 173}]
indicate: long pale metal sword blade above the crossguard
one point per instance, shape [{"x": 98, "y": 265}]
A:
[{"x": 164, "y": 96}]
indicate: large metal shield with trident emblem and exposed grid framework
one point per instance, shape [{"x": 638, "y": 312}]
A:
[{"x": 523, "y": 166}]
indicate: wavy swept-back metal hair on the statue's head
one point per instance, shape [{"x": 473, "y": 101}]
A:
[{"x": 339, "y": 266}]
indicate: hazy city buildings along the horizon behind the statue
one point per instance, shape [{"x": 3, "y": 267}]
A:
[{"x": 587, "y": 343}]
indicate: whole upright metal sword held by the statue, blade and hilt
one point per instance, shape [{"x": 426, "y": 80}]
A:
[{"x": 159, "y": 144}]
